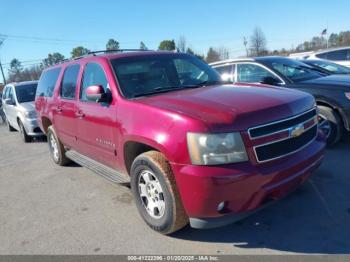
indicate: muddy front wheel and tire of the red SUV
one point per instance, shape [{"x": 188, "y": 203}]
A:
[{"x": 157, "y": 198}]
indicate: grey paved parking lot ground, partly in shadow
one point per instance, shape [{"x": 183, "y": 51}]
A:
[{"x": 47, "y": 209}]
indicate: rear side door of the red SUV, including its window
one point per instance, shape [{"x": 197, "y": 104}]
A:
[{"x": 64, "y": 115}]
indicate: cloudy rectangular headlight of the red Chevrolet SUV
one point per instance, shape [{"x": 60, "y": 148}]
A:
[{"x": 216, "y": 149}]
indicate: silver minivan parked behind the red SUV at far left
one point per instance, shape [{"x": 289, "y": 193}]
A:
[{"x": 18, "y": 105}]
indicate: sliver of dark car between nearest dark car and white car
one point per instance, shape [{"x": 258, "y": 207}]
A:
[{"x": 327, "y": 67}]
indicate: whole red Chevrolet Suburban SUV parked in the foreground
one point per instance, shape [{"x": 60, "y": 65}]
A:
[{"x": 194, "y": 149}]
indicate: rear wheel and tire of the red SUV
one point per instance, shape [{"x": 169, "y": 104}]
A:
[{"x": 56, "y": 148}]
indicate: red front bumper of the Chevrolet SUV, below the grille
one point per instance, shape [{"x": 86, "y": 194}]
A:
[{"x": 244, "y": 187}]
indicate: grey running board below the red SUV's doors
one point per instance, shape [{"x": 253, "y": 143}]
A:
[{"x": 98, "y": 168}]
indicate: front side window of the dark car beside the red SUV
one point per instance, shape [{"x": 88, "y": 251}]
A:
[{"x": 251, "y": 73}]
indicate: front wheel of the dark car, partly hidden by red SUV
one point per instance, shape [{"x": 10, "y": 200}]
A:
[{"x": 331, "y": 124}]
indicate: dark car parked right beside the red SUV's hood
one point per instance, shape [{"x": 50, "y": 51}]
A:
[{"x": 332, "y": 92}]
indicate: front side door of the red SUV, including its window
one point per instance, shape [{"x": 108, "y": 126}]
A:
[{"x": 96, "y": 121}]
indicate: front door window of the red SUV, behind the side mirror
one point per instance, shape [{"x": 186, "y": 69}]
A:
[{"x": 93, "y": 75}]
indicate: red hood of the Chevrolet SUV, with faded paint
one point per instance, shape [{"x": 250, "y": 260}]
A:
[{"x": 233, "y": 107}]
